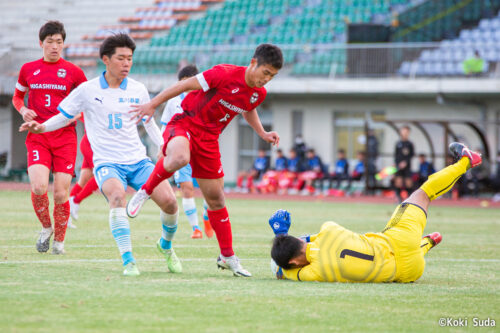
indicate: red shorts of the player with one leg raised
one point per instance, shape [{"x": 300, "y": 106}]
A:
[{"x": 204, "y": 147}]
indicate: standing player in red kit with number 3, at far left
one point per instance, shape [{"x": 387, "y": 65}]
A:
[{"x": 48, "y": 81}]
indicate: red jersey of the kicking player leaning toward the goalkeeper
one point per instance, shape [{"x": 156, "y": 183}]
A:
[{"x": 225, "y": 94}]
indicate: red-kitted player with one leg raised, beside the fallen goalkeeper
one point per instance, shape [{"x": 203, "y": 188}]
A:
[{"x": 219, "y": 94}]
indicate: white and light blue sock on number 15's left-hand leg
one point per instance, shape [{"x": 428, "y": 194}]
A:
[{"x": 120, "y": 228}]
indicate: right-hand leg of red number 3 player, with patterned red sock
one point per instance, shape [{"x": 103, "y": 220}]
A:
[{"x": 62, "y": 182}]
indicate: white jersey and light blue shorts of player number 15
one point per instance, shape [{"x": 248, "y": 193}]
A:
[{"x": 111, "y": 129}]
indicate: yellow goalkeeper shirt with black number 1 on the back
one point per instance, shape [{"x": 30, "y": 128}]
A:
[{"x": 340, "y": 255}]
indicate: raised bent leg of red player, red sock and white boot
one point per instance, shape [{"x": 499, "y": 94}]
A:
[{"x": 177, "y": 155}]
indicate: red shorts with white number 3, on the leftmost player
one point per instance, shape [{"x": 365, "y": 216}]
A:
[{"x": 56, "y": 150}]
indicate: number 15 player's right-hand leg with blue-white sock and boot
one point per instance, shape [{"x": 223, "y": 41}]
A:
[{"x": 164, "y": 197}]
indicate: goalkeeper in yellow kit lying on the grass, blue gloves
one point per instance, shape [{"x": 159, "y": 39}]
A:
[{"x": 396, "y": 254}]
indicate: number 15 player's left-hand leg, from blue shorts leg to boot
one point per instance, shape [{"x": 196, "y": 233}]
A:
[{"x": 112, "y": 184}]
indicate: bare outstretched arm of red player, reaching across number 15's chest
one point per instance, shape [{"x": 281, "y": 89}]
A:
[{"x": 147, "y": 110}]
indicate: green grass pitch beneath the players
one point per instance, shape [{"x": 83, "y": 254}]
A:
[{"x": 84, "y": 290}]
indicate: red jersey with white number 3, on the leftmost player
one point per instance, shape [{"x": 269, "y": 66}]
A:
[{"x": 48, "y": 84}]
